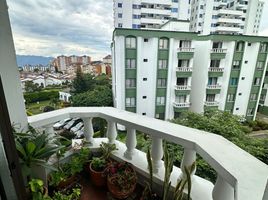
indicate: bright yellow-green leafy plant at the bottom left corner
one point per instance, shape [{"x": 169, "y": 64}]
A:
[{"x": 37, "y": 190}]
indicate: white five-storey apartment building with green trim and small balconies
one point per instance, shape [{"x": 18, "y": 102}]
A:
[{"x": 162, "y": 73}]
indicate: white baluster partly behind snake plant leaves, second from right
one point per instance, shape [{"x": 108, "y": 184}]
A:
[{"x": 189, "y": 157}]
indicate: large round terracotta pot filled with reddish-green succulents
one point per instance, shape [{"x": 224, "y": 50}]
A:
[{"x": 121, "y": 179}]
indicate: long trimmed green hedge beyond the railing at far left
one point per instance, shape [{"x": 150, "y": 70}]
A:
[{"x": 40, "y": 96}]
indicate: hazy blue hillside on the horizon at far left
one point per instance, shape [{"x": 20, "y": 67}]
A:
[{"x": 33, "y": 60}]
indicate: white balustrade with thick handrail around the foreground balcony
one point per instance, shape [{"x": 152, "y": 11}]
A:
[{"x": 240, "y": 175}]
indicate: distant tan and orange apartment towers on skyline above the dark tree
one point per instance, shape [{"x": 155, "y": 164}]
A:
[{"x": 62, "y": 62}]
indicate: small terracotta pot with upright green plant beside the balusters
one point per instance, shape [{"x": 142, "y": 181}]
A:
[{"x": 98, "y": 165}]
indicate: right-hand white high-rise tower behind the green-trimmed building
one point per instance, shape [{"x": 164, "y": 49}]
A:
[{"x": 226, "y": 16}]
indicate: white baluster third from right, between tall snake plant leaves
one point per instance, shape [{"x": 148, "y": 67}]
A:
[{"x": 157, "y": 153}]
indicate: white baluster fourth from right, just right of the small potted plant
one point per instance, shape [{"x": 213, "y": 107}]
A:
[{"x": 131, "y": 143}]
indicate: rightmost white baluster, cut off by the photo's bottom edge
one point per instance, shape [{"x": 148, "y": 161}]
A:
[{"x": 222, "y": 190}]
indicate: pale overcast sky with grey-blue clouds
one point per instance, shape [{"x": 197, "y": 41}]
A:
[{"x": 54, "y": 27}]
